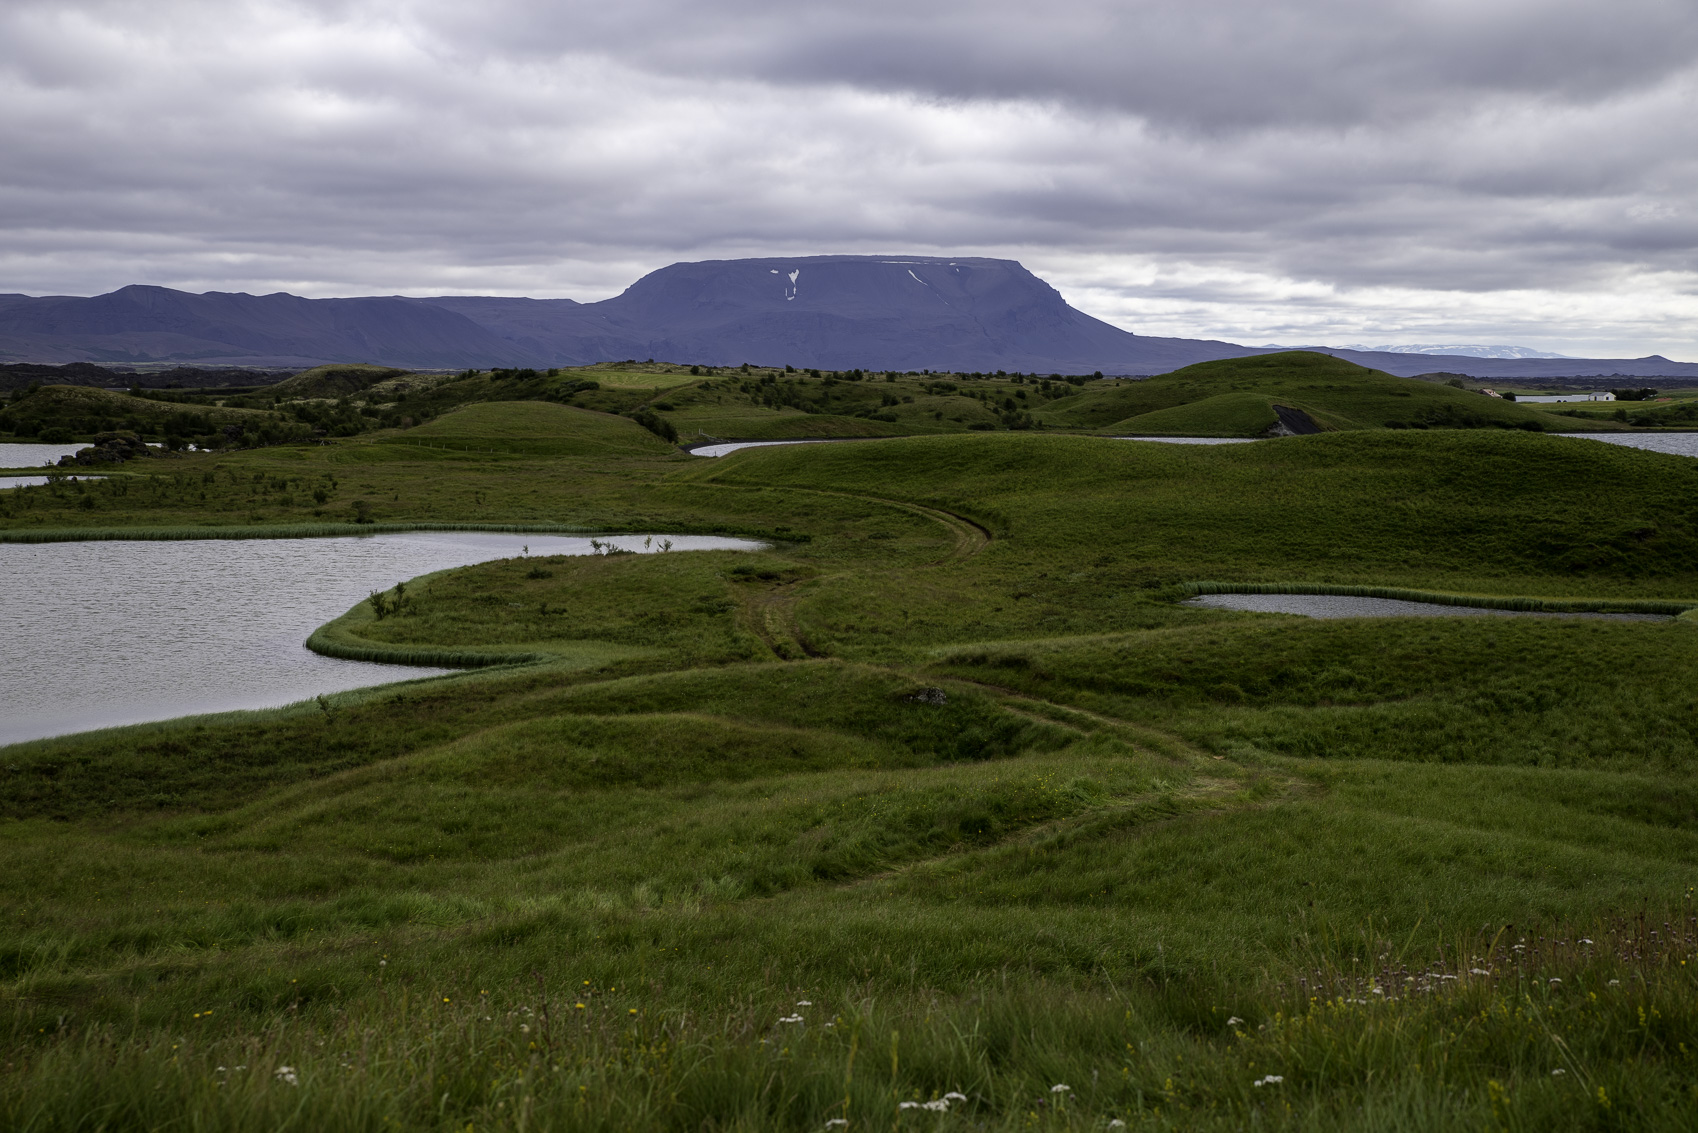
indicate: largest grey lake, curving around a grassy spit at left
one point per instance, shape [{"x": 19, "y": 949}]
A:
[{"x": 121, "y": 633}]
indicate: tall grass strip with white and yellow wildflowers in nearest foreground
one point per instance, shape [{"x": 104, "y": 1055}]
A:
[{"x": 1505, "y": 1030}]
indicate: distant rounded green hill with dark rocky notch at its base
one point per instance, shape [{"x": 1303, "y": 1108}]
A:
[{"x": 1234, "y": 398}]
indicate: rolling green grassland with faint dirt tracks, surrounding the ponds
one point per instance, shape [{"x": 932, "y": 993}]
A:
[{"x": 940, "y": 813}]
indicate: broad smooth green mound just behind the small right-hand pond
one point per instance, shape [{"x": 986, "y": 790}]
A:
[{"x": 1475, "y": 510}]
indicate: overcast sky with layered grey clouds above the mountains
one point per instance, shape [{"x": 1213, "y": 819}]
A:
[{"x": 1257, "y": 171}]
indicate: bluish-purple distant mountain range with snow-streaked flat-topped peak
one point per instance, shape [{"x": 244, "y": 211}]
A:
[{"x": 877, "y": 313}]
